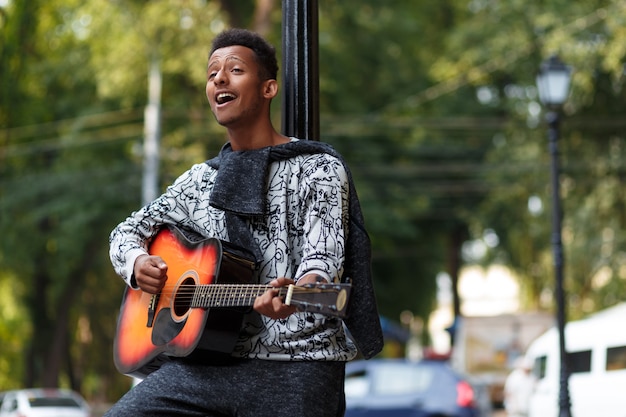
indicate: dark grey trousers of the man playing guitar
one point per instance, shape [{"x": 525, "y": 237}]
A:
[{"x": 243, "y": 388}]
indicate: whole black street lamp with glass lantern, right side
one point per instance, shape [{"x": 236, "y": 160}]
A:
[{"x": 553, "y": 86}]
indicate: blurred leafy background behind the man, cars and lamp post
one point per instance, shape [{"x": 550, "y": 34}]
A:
[{"x": 434, "y": 105}]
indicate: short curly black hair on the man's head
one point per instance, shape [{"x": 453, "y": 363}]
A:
[{"x": 264, "y": 51}]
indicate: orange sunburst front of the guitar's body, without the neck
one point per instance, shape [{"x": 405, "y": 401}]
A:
[{"x": 145, "y": 338}]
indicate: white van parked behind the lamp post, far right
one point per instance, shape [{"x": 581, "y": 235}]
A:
[{"x": 596, "y": 352}]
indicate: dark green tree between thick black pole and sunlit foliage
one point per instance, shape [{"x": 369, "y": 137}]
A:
[{"x": 416, "y": 192}]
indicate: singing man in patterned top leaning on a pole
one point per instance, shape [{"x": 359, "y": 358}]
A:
[{"x": 292, "y": 203}]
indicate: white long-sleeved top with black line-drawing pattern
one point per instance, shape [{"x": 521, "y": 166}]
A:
[{"x": 303, "y": 230}]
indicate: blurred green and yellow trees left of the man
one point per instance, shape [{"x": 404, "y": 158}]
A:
[{"x": 61, "y": 181}]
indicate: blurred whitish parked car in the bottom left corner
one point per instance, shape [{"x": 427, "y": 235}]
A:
[{"x": 38, "y": 402}]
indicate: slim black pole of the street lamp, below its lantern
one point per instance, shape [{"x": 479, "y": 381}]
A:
[{"x": 552, "y": 118}]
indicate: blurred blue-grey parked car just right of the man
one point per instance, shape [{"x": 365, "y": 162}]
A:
[{"x": 401, "y": 388}]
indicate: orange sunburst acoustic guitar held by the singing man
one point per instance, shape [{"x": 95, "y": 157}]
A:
[{"x": 208, "y": 290}]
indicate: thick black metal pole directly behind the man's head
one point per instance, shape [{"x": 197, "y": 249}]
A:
[{"x": 300, "y": 69}]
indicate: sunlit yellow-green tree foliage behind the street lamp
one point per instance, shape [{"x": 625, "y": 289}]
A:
[{"x": 502, "y": 66}]
